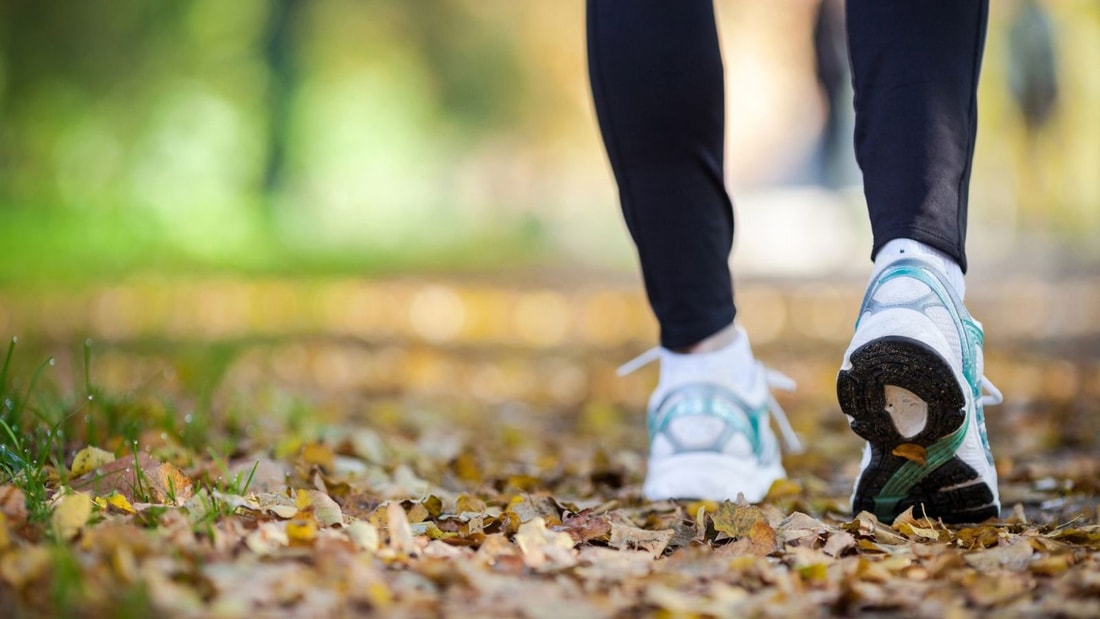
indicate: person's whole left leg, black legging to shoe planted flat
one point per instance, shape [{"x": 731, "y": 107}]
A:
[{"x": 658, "y": 85}]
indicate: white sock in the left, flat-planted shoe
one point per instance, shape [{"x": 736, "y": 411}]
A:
[{"x": 732, "y": 366}]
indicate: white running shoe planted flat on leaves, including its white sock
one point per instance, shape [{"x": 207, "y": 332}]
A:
[{"x": 710, "y": 436}]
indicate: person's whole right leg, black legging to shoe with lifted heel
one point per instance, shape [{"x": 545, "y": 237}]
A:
[{"x": 911, "y": 382}]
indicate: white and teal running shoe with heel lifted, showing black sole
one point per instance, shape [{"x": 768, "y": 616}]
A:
[{"x": 911, "y": 385}]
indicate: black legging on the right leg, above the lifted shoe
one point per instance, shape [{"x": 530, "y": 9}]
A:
[{"x": 916, "y": 69}]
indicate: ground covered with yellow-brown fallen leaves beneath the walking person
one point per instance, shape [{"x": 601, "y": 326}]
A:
[{"x": 345, "y": 449}]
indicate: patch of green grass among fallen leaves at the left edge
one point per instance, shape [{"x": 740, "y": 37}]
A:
[{"x": 42, "y": 427}]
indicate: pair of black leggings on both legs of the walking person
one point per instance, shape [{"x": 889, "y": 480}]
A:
[{"x": 657, "y": 80}]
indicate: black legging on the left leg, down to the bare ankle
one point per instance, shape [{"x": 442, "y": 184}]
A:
[{"x": 657, "y": 81}]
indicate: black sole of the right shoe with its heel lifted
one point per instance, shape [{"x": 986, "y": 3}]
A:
[{"x": 945, "y": 488}]
